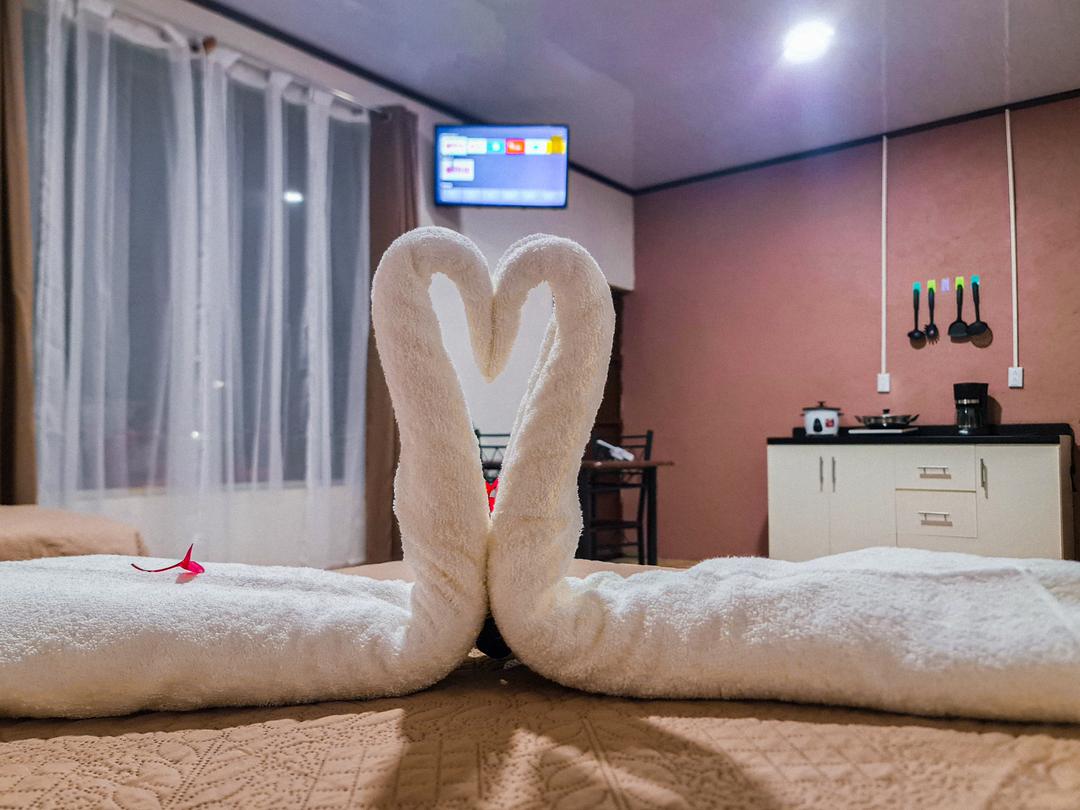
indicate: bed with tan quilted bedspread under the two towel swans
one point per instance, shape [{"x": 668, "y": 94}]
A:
[{"x": 496, "y": 735}]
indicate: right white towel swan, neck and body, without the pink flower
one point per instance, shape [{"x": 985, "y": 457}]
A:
[{"x": 893, "y": 629}]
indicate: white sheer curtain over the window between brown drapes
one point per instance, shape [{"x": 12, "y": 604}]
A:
[{"x": 201, "y": 295}]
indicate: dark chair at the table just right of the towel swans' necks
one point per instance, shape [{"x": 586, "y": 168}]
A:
[{"x": 610, "y": 524}]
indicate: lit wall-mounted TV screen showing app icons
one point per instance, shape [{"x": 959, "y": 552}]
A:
[{"x": 514, "y": 167}]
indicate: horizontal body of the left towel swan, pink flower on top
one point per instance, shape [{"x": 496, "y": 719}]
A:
[{"x": 90, "y": 637}]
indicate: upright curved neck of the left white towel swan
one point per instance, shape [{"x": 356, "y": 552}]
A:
[{"x": 439, "y": 487}]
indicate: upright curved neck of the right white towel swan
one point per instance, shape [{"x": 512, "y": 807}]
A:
[{"x": 537, "y": 519}]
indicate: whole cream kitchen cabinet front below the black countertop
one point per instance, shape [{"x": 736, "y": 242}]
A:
[{"x": 996, "y": 499}]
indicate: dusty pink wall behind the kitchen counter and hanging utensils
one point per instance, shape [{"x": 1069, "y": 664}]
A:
[{"x": 760, "y": 293}]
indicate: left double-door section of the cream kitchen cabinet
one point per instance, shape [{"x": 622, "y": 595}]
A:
[{"x": 829, "y": 498}]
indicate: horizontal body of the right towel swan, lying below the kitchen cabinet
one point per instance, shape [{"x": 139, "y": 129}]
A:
[{"x": 896, "y": 629}]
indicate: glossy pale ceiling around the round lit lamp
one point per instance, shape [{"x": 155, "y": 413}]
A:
[{"x": 661, "y": 90}]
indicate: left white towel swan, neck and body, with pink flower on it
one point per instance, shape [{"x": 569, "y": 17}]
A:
[{"x": 90, "y": 637}]
